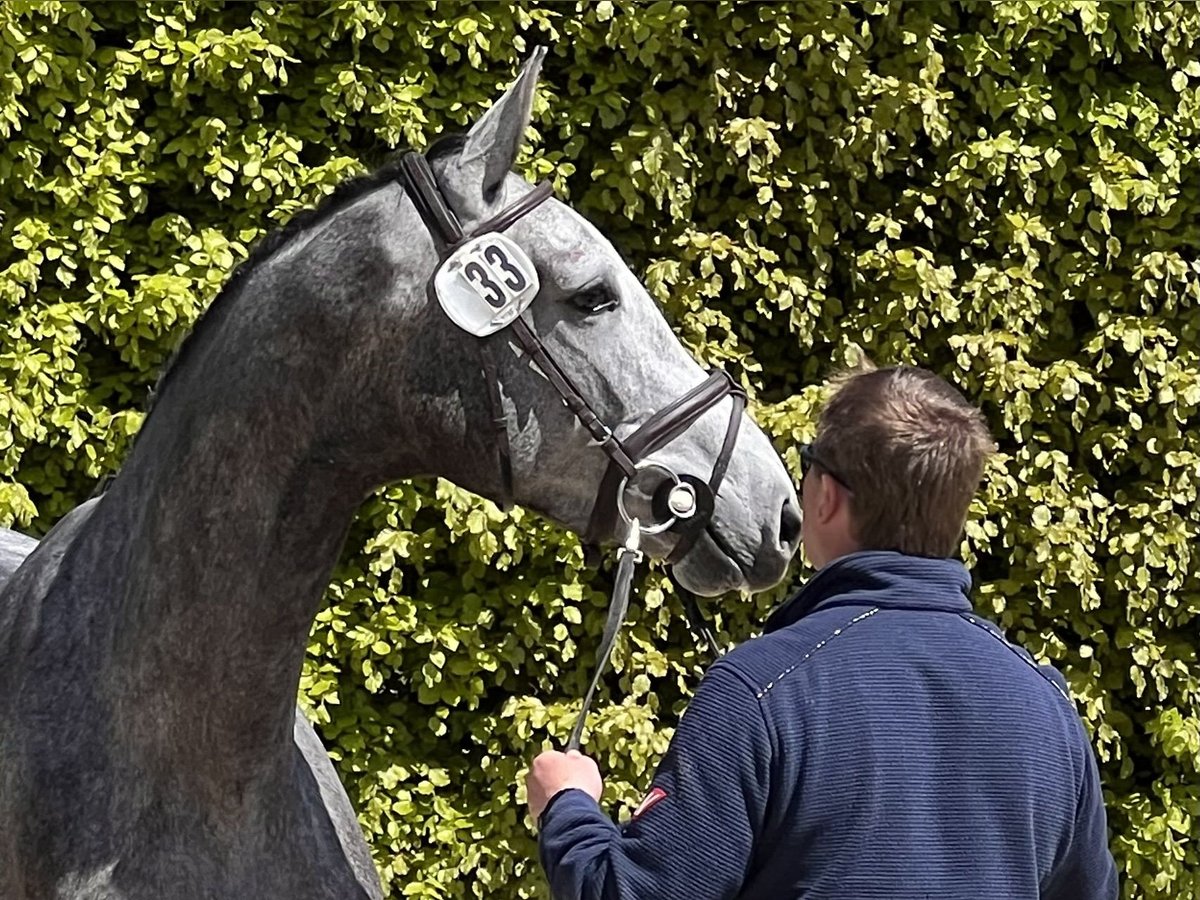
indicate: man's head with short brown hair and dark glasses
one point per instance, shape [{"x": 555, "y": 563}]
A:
[{"x": 898, "y": 457}]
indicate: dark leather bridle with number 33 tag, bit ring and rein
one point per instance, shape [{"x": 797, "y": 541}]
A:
[{"x": 485, "y": 283}]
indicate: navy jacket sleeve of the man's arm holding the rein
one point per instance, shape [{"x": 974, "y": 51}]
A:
[{"x": 697, "y": 841}]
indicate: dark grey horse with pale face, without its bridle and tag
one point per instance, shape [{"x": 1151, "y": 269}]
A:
[{"x": 152, "y": 644}]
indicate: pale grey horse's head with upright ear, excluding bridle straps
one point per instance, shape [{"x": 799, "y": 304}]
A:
[{"x": 605, "y": 333}]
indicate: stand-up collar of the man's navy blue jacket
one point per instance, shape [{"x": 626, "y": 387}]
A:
[{"x": 884, "y": 579}]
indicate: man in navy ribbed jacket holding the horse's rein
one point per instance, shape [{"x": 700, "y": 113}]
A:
[{"x": 880, "y": 740}]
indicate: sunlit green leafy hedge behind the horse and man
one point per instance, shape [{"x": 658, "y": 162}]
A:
[{"x": 1006, "y": 193}]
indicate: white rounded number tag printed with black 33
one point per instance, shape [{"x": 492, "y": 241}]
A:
[{"x": 487, "y": 284}]
